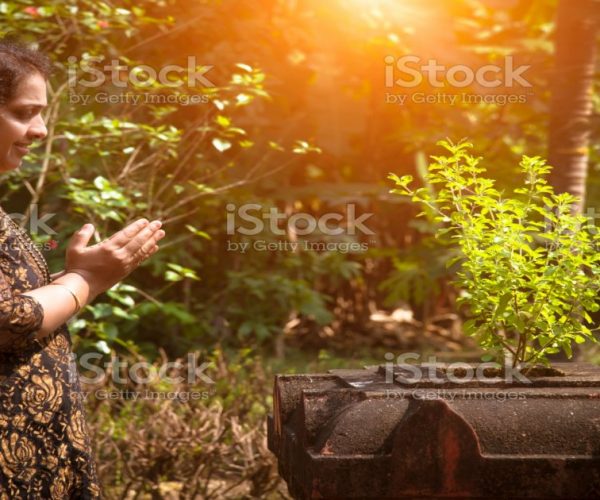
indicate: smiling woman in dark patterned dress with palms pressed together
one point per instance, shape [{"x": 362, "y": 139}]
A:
[{"x": 44, "y": 445}]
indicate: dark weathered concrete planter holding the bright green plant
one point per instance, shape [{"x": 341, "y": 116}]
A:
[{"x": 362, "y": 434}]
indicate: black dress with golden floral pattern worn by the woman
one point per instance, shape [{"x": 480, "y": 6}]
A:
[{"x": 45, "y": 449}]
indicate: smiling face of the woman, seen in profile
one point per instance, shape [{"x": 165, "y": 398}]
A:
[{"x": 21, "y": 122}]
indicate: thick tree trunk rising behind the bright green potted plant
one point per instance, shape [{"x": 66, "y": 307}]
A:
[{"x": 571, "y": 104}]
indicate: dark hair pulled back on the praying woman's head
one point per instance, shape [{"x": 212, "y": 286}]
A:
[{"x": 18, "y": 61}]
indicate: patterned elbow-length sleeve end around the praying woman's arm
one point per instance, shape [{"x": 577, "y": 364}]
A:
[{"x": 20, "y": 317}]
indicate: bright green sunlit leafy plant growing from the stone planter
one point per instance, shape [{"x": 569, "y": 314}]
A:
[{"x": 530, "y": 268}]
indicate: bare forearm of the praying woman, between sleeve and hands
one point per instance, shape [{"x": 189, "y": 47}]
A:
[{"x": 58, "y": 302}]
